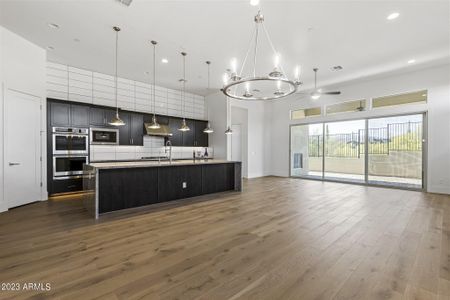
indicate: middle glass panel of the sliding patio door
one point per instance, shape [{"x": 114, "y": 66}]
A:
[{"x": 344, "y": 151}]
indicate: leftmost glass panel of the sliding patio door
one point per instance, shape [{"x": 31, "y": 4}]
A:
[{"x": 307, "y": 150}]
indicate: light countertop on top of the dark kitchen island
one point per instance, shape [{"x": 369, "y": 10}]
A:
[{"x": 143, "y": 164}]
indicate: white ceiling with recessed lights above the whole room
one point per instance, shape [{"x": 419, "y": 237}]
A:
[{"x": 353, "y": 34}]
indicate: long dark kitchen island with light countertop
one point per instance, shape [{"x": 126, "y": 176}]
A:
[{"x": 114, "y": 186}]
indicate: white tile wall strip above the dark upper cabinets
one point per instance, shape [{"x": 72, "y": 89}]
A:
[{"x": 74, "y": 84}]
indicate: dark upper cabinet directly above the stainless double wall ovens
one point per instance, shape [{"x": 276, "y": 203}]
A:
[{"x": 69, "y": 115}]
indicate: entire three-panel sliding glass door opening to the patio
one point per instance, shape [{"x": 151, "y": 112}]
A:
[{"x": 391, "y": 153}]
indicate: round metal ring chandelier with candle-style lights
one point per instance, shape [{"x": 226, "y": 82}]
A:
[{"x": 273, "y": 85}]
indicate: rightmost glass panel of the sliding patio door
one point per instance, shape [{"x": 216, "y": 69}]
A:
[{"x": 395, "y": 151}]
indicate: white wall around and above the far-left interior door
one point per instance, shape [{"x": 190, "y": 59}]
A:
[{"x": 22, "y": 68}]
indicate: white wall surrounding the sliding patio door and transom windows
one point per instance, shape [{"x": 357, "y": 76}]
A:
[{"x": 436, "y": 80}]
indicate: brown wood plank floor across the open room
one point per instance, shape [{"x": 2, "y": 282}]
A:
[{"x": 280, "y": 238}]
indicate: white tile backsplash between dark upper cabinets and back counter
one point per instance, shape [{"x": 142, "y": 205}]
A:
[{"x": 153, "y": 146}]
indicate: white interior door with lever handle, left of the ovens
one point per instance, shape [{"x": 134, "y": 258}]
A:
[{"x": 22, "y": 149}]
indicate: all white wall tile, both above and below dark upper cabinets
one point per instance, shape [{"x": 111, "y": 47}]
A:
[{"x": 74, "y": 84}]
